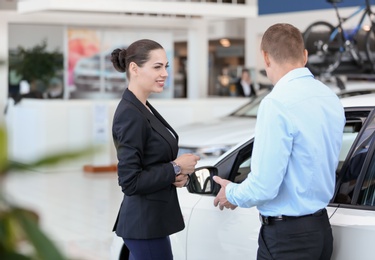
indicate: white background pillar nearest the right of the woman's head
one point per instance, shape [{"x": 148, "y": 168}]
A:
[{"x": 197, "y": 61}]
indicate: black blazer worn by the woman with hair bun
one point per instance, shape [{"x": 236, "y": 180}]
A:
[{"x": 145, "y": 147}]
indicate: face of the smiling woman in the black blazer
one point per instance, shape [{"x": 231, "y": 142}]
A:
[{"x": 152, "y": 75}]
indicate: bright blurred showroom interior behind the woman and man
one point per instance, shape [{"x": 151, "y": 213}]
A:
[{"x": 76, "y": 200}]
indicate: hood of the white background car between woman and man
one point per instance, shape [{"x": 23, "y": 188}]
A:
[{"x": 227, "y": 130}]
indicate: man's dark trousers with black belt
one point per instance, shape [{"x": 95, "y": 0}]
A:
[{"x": 305, "y": 238}]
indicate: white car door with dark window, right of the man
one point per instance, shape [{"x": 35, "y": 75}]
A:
[{"x": 353, "y": 222}]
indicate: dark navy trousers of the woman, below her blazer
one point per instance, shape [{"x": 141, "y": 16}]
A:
[{"x": 149, "y": 249}]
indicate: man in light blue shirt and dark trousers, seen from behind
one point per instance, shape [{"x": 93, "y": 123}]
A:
[{"x": 298, "y": 138}]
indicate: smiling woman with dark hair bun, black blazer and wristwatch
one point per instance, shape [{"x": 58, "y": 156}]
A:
[{"x": 147, "y": 146}]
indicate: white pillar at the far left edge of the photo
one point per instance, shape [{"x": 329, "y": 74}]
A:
[{"x": 3, "y": 66}]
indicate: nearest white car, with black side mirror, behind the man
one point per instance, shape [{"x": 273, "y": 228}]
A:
[{"x": 221, "y": 235}]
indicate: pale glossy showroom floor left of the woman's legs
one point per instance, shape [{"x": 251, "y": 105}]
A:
[{"x": 77, "y": 209}]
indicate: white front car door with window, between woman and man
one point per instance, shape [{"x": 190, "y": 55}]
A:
[{"x": 227, "y": 234}]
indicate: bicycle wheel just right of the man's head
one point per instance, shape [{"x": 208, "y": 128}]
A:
[{"x": 324, "y": 46}]
